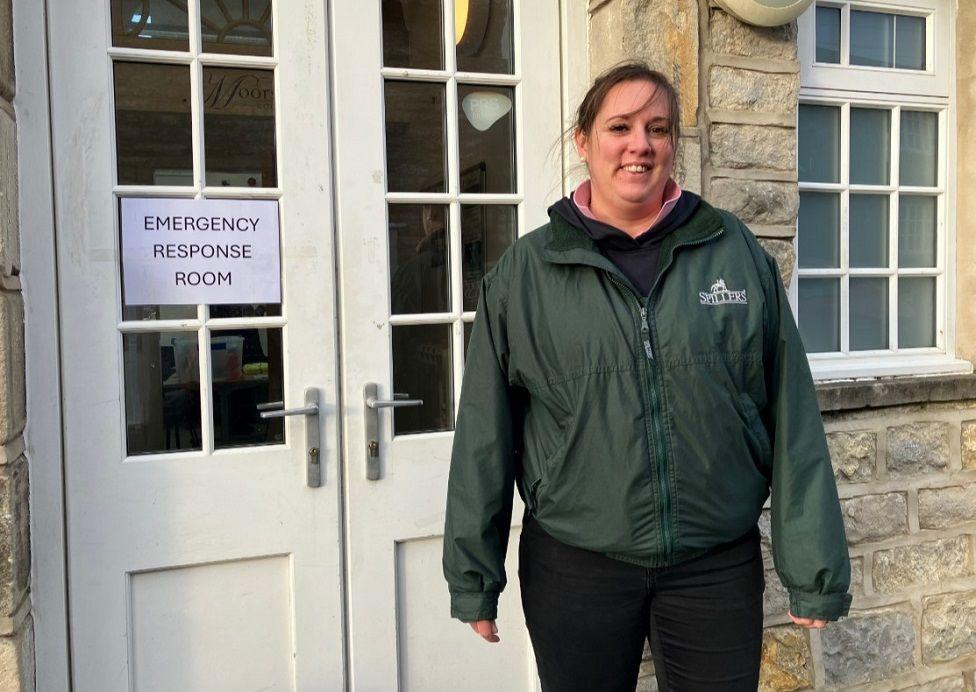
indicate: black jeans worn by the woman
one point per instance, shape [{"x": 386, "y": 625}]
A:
[{"x": 588, "y": 616}]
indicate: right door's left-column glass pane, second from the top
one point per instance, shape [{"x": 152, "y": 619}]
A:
[{"x": 416, "y": 159}]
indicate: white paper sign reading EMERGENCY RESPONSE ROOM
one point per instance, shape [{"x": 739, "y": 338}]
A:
[{"x": 189, "y": 251}]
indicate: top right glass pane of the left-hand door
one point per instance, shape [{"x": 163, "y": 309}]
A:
[{"x": 242, "y": 27}]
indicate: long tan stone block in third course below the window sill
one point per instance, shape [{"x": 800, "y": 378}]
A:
[{"x": 922, "y": 563}]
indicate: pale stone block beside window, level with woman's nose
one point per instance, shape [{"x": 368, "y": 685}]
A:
[{"x": 753, "y": 146}]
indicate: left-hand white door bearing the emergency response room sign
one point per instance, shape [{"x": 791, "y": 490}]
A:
[{"x": 200, "y": 556}]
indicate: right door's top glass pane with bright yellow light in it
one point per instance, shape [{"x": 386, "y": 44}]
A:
[{"x": 483, "y": 30}]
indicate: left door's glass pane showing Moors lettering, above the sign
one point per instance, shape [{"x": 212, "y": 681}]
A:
[{"x": 239, "y": 127}]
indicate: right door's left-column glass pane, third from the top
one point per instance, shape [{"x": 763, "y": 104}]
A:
[{"x": 420, "y": 279}]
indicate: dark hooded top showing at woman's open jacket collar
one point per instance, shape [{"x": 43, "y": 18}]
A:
[{"x": 638, "y": 258}]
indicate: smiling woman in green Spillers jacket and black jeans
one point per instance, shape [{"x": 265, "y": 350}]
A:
[{"x": 634, "y": 368}]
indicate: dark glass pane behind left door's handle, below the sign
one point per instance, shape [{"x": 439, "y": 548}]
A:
[{"x": 246, "y": 370}]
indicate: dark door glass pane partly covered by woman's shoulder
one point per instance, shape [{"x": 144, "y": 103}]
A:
[{"x": 487, "y": 230}]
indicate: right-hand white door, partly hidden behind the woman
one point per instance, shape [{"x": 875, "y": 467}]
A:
[{"x": 447, "y": 129}]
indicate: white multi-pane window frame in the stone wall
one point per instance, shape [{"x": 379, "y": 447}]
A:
[{"x": 842, "y": 85}]
